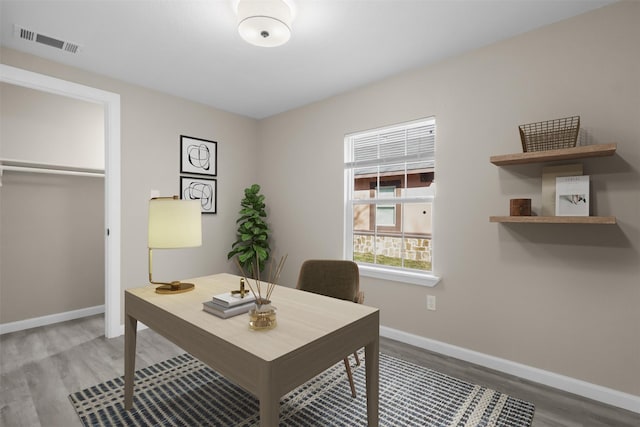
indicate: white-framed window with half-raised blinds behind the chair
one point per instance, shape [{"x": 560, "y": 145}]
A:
[{"x": 390, "y": 192}]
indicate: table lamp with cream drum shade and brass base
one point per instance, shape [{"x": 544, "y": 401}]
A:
[{"x": 173, "y": 223}]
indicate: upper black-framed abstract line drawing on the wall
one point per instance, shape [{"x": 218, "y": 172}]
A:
[{"x": 198, "y": 156}]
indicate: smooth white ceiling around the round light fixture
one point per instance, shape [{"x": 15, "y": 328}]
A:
[{"x": 190, "y": 48}]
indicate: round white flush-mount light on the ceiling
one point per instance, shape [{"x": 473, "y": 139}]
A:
[{"x": 265, "y": 23}]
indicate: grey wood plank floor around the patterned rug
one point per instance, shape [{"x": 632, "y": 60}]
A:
[{"x": 40, "y": 367}]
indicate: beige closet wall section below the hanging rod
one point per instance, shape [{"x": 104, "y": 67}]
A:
[{"x": 51, "y": 244}]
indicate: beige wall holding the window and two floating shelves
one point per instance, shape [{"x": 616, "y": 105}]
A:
[{"x": 562, "y": 298}]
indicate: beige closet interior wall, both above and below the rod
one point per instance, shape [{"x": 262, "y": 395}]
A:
[{"x": 51, "y": 226}]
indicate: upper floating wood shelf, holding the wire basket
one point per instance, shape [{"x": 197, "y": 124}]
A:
[{"x": 599, "y": 150}]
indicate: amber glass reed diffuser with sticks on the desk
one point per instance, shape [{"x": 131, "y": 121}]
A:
[{"x": 263, "y": 315}]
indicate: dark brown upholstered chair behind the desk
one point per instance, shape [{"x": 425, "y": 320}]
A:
[{"x": 337, "y": 279}]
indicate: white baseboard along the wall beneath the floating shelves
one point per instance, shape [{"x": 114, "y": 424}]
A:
[{"x": 605, "y": 395}]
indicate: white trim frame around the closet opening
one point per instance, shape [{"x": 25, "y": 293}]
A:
[{"x": 111, "y": 105}]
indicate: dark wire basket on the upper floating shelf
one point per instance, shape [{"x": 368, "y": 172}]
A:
[{"x": 550, "y": 134}]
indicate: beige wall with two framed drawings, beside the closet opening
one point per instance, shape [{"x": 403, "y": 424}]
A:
[{"x": 151, "y": 125}]
